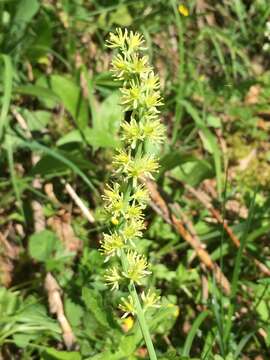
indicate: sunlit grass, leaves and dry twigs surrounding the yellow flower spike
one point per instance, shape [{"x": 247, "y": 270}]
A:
[{"x": 208, "y": 224}]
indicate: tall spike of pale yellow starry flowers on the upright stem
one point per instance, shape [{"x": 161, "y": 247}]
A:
[{"x": 126, "y": 199}]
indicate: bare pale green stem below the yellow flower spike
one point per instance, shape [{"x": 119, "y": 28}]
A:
[{"x": 140, "y": 313}]
